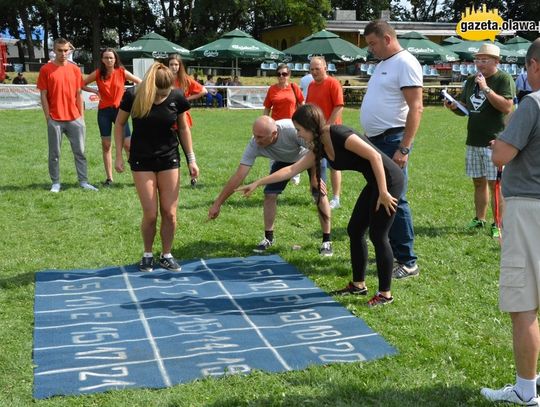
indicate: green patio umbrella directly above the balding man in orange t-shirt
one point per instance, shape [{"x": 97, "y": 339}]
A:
[{"x": 326, "y": 43}]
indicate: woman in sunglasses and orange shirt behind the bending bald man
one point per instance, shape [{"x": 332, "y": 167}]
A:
[{"x": 282, "y": 99}]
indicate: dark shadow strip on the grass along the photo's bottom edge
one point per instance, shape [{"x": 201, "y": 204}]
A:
[{"x": 344, "y": 395}]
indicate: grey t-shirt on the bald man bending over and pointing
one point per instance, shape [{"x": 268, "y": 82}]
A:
[{"x": 288, "y": 147}]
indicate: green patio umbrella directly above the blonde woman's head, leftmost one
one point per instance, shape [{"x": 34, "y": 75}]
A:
[{"x": 152, "y": 46}]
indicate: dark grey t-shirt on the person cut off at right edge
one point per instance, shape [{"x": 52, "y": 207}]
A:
[{"x": 521, "y": 176}]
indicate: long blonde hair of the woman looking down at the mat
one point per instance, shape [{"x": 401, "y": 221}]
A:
[{"x": 157, "y": 77}]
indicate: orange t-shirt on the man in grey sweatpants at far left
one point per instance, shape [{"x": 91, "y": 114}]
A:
[{"x": 62, "y": 83}]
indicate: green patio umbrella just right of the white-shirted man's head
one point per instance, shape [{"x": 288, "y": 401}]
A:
[{"x": 426, "y": 51}]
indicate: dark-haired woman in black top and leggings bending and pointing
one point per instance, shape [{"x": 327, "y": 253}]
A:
[{"x": 376, "y": 206}]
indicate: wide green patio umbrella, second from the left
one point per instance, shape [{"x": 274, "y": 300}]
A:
[{"x": 237, "y": 46}]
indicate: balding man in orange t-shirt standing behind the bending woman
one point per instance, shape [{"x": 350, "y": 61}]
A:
[{"x": 326, "y": 92}]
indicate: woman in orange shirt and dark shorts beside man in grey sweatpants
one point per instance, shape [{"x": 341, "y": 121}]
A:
[{"x": 110, "y": 78}]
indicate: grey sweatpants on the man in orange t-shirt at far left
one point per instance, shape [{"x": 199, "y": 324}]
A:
[{"x": 75, "y": 131}]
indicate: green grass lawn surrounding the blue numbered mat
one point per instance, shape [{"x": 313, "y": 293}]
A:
[{"x": 450, "y": 336}]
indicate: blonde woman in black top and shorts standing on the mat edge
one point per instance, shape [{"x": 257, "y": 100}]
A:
[{"x": 154, "y": 157}]
